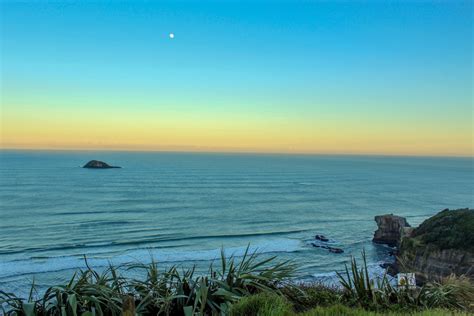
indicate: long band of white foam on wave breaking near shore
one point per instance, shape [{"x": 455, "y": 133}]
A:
[{"x": 36, "y": 266}]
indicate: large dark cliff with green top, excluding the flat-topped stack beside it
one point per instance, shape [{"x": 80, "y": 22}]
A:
[{"x": 440, "y": 246}]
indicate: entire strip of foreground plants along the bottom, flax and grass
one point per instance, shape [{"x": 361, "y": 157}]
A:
[{"x": 245, "y": 286}]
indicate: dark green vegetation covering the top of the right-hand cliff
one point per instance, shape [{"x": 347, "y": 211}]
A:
[{"x": 449, "y": 229}]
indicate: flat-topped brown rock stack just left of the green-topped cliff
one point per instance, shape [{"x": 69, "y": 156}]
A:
[{"x": 390, "y": 229}]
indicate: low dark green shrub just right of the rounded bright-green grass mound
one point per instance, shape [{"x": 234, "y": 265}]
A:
[{"x": 305, "y": 296}]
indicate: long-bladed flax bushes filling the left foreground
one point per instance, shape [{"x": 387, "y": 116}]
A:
[{"x": 168, "y": 292}]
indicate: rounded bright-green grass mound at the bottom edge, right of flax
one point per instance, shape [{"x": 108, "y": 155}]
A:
[{"x": 263, "y": 304}]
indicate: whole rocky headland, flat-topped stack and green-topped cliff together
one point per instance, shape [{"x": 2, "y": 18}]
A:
[{"x": 442, "y": 245}]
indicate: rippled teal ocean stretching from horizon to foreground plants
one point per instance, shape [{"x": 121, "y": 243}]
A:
[{"x": 181, "y": 208}]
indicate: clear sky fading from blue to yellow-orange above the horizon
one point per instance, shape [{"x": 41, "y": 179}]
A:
[{"x": 330, "y": 77}]
